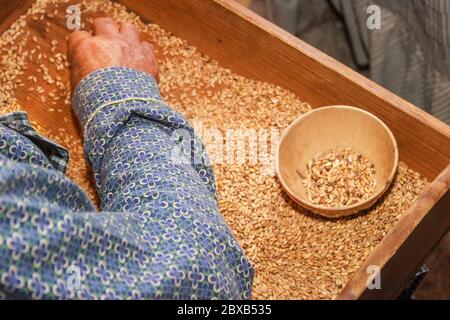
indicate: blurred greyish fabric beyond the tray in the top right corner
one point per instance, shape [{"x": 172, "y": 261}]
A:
[{"x": 409, "y": 54}]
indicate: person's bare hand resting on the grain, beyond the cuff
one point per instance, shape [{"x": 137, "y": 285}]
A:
[{"x": 110, "y": 46}]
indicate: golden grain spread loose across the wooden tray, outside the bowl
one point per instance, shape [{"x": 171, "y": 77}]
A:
[{"x": 295, "y": 254}]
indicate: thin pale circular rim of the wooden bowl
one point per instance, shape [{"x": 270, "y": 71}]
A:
[{"x": 345, "y": 210}]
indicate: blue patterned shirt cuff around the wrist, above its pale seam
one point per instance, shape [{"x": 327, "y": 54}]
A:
[{"x": 111, "y": 85}]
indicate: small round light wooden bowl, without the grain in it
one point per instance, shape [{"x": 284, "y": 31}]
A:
[{"x": 333, "y": 127}]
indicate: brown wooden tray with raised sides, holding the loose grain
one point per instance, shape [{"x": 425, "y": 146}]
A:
[{"x": 251, "y": 46}]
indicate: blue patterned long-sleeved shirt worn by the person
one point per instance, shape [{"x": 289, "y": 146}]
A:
[{"x": 159, "y": 234}]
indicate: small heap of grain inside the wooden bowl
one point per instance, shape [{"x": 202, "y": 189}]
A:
[{"x": 339, "y": 178}]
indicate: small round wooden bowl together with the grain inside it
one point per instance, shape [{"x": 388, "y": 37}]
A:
[{"x": 337, "y": 128}]
